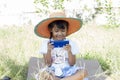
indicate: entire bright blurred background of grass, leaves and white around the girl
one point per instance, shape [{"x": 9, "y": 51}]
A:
[{"x": 98, "y": 38}]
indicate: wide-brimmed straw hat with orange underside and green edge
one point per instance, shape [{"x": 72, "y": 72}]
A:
[{"x": 41, "y": 29}]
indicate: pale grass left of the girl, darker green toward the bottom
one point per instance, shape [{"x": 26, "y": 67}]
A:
[{"x": 17, "y": 46}]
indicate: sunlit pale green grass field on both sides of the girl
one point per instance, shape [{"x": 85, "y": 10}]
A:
[{"x": 18, "y": 44}]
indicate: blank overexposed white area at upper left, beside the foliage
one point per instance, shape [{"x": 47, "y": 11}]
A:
[{"x": 12, "y": 10}]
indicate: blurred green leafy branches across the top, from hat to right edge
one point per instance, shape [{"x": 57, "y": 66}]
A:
[{"x": 83, "y": 11}]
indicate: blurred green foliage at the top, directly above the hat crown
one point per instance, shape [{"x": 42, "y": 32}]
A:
[{"x": 45, "y": 5}]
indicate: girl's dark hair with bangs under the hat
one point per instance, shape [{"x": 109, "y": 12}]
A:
[{"x": 61, "y": 24}]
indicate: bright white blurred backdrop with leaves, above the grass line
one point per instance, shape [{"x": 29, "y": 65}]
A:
[{"x": 16, "y": 12}]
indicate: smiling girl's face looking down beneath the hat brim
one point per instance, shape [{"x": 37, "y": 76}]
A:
[{"x": 58, "y": 34}]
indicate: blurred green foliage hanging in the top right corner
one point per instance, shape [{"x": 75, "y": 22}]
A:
[{"x": 112, "y": 16}]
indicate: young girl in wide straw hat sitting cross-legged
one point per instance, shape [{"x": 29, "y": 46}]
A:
[{"x": 60, "y": 60}]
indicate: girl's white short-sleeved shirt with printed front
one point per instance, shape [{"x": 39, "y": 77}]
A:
[{"x": 59, "y": 55}]
